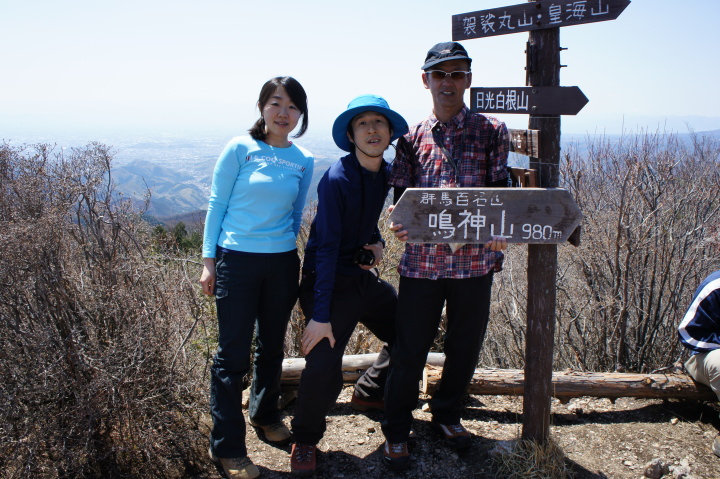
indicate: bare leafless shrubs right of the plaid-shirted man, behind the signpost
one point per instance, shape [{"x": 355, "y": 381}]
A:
[{"x": 651, "y": 206}]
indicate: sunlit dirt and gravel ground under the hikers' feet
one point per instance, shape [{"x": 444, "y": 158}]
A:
[{"x": 599, "y": 439}]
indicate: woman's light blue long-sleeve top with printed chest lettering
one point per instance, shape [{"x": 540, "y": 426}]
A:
[{"x": 257, "y": 197}]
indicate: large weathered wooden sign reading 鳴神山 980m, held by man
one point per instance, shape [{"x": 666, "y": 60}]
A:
[{"x": 473, "y": 215}]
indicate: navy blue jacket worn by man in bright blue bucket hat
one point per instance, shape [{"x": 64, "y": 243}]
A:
[{"x": 346, "y": 220}]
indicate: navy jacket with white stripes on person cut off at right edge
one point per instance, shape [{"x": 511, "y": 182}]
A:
[{"x": 700, "y": 328}]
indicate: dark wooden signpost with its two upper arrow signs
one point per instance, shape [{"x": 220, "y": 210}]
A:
[{"x": 542, "y": 20}]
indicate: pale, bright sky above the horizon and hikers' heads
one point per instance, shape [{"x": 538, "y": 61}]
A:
[{"x": 182, "y": 66}]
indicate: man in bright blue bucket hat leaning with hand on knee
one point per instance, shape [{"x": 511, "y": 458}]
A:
[{"x": 340, "y": 284}]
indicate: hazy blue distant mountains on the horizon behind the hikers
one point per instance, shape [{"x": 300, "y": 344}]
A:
[{"x": 178, "y": 172}]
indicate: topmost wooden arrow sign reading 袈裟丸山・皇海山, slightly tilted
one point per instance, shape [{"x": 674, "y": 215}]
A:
[{"x": 534, "y": 16}]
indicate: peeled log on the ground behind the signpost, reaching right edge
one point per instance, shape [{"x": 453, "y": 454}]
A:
[{"x": 570, "y": 384}]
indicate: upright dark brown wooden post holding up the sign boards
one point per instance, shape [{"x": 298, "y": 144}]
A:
[{"x": 543, "y": 69}]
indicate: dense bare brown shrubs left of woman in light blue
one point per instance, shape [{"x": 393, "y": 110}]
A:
[{"x": 98, "y": 374}]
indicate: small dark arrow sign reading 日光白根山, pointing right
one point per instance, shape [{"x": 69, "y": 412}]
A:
[{"x": 547, "y": 100}]
